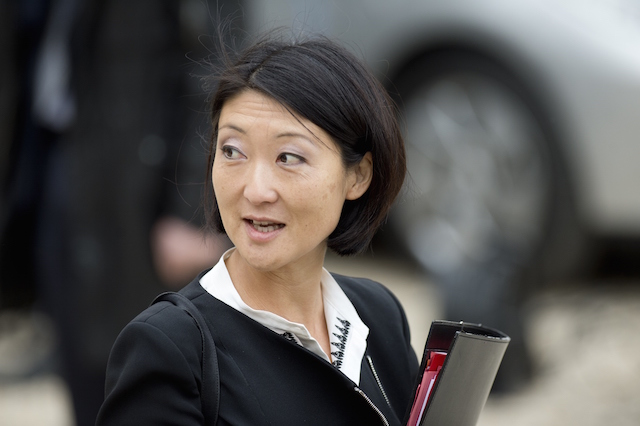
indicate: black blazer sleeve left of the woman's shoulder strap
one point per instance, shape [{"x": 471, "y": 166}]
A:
[{"x": 150, "y": 380}]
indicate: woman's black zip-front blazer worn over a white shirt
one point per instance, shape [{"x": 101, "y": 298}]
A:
[{"x": 153, "y": 374}]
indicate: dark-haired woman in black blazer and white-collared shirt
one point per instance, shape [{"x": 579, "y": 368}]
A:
[{"x": 306, "y": 155}]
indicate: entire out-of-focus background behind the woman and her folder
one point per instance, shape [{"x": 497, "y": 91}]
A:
[{"x": 520, "y": 212}]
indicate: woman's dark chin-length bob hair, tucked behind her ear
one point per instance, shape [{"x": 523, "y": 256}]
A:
[{"x": 324, "y": 83}]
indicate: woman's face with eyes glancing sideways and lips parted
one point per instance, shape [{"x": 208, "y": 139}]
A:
[{"x": 279, "y": 182}]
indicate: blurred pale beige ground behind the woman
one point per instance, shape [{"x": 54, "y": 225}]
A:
[{"x": 585, "y": 338}]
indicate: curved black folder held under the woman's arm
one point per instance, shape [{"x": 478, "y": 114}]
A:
[{"x": 462, "y": 384}]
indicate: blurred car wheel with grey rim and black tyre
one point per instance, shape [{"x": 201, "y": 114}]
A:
[{"x": 487, "y": 183}]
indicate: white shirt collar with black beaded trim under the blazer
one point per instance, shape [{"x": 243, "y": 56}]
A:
[{"x": 347, "y": 333}]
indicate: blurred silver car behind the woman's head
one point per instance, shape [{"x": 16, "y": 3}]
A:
[{"x": 522, "y": 120}]
